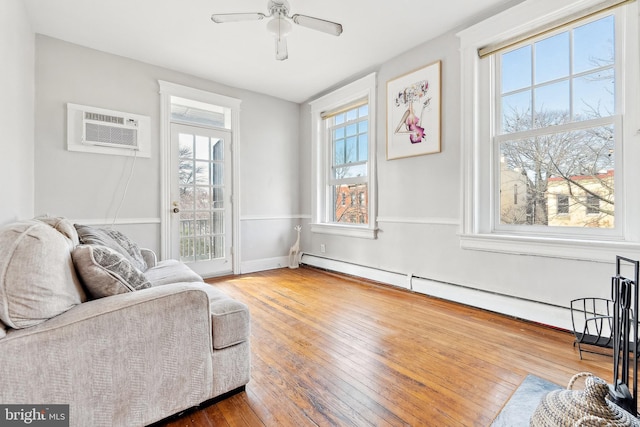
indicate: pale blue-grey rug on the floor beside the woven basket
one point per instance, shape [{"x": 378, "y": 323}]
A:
[{"x": 523, "y": 402}]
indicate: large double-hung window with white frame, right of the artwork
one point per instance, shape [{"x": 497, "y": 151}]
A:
[{"x": 549, "y": 98}]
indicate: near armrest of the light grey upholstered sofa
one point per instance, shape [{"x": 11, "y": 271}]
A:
[{"x": 138, "y": 350}]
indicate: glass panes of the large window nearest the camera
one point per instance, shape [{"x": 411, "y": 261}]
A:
[{"x": 557, "y": 126}]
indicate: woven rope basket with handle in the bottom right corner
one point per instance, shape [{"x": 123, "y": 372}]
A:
[{"x": 588, "y": 407}]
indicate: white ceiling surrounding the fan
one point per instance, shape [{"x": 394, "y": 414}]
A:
[{"x": 179, "y": 34}]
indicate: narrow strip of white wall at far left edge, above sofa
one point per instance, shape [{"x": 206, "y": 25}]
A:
[{"x": 16, "y": 113}]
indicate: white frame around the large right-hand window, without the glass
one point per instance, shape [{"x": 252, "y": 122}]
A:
[{"x": 479, "y": 231}]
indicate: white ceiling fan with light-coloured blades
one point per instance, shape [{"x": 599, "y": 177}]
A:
[{"x": 280, "y": 26}]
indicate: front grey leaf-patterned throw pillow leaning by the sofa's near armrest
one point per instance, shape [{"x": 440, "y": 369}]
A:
[{"x": 106, "y": 272}]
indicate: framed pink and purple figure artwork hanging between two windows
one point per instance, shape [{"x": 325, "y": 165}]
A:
[{"x": 413, "y": 113}]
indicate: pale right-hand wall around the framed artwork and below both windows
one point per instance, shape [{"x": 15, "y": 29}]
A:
[{"x": 419, "y": 218}]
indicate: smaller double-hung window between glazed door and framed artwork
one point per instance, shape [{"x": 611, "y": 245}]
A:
[{"x": 343, "y": 153}]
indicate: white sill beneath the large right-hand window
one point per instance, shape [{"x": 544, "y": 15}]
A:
[{"x": 573, "y": 249}]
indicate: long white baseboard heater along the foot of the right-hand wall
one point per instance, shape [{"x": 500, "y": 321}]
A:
[{"x": 534, "y": 311}]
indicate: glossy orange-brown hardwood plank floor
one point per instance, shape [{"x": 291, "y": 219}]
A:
[{"x": 329, "y": 350}]
